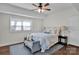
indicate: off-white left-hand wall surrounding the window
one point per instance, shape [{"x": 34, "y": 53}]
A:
[{"x": 7, "y": 37}]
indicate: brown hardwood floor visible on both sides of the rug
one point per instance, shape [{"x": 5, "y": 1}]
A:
[{"x": 69, "y": 50}]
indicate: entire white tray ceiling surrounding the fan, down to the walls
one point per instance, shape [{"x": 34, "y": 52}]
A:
[{"x": 27, "y": 8}]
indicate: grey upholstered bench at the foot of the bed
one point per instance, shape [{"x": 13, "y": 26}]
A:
[{"x": 35, "y": 47}]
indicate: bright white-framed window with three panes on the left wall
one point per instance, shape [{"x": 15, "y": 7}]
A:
[{"x": 20, "y": 25}]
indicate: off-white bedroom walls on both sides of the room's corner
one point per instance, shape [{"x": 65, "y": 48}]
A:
[{"x": 61, "y": 18}]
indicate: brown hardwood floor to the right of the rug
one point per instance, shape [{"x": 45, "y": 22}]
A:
[{"x": 69, "y": 50}]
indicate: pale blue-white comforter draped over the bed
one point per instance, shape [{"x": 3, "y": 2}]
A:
[{"x": 44, "y": 39}]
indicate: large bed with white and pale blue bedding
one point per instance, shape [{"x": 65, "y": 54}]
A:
[{"x": 46, "y": 40}]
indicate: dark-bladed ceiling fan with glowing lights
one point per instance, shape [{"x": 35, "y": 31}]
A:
[{"x": 42, "y": 7}]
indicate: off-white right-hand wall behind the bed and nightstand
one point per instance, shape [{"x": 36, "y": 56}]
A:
[{"x": 63, "y": 18}]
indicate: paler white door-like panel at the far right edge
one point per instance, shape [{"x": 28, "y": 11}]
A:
[{"x": 74, "y": 30}]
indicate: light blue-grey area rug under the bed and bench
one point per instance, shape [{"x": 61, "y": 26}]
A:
[{"x": 20, "y": 49}]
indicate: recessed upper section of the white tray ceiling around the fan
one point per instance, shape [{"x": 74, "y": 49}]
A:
[{"x": 55, "y": 7}]
